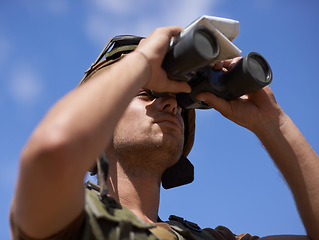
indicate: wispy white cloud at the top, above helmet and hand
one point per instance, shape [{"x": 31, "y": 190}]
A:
[{"x": 106, "y": 18}]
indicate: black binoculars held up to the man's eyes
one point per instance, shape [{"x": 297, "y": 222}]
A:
[{"x": 190, "y": 57}]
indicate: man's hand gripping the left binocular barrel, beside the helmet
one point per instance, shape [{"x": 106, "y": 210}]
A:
[{"x": 154, "y": 48}]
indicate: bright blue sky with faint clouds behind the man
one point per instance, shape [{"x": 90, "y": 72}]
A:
[{"x": 45, "y": 47}]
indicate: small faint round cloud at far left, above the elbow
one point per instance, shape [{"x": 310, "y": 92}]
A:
[{"x": 26, "y": 84}]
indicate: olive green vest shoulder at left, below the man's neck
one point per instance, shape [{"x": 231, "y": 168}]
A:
[{"x": 107, "y": 219}]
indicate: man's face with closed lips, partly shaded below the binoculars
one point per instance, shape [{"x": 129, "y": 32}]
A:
[{"x": 151, "y": 128}]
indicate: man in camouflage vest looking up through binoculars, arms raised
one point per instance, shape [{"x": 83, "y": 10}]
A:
[{"x": 141, "y": 136}]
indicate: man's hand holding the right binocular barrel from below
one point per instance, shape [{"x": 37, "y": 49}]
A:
[{"x": 253, "y": 111}]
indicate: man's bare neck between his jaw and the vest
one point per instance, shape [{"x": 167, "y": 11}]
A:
[{"x": 138, "y": 192}]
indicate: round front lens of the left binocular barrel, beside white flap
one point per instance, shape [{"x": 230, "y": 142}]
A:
[{"x": 205, "y": 45}]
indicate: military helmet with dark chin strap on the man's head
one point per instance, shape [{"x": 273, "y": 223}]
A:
[{"x": 183, "y": 171}]
